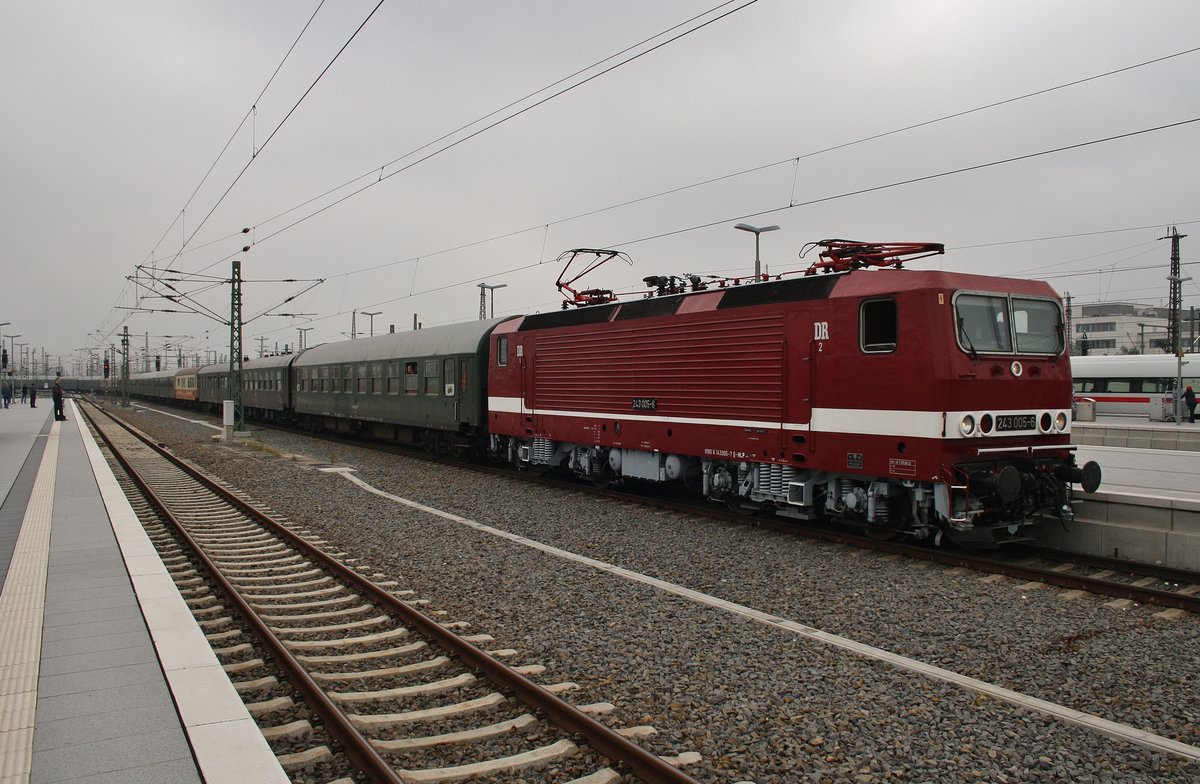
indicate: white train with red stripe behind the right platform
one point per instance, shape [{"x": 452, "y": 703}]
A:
[{"x": 1129, "y": 385}]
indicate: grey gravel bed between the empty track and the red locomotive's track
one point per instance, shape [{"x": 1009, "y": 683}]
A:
[{"x": 757, "y": 703}]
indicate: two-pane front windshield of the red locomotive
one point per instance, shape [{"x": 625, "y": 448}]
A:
[{"x": 995, "y": 324}]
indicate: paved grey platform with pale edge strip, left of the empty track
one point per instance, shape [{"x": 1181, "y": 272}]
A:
[{"x": 105, "y": 675}]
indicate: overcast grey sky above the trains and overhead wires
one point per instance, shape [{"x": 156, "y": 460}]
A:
[{"x": 115, "y": 112}]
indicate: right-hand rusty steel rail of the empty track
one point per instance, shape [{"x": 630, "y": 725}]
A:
[{"x": 647, "y": 767}]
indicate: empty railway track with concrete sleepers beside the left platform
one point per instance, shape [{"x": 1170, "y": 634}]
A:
[{"x": 406, "y": 697}]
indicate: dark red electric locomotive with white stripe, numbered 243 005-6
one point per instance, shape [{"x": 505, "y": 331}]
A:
[{"x": 901, "y": 402}]
